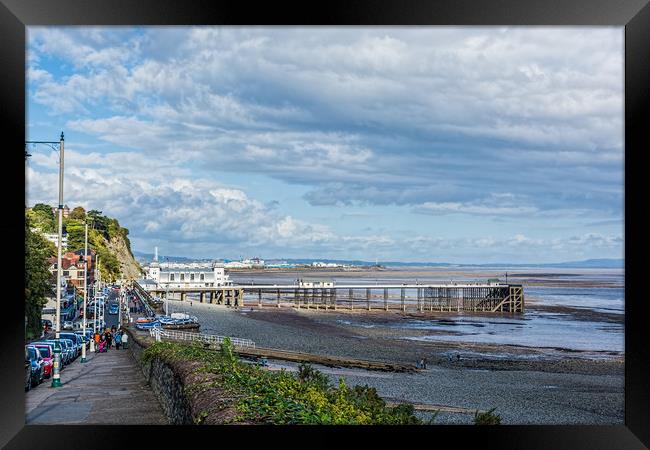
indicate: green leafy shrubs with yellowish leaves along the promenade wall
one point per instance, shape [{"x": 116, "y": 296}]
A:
[{"x": 282, "y": 397}]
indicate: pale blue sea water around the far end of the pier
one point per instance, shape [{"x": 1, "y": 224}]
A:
[{"x": 543, "y": 327}]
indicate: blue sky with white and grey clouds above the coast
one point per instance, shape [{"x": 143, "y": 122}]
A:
[{"x": 442, "y": 144}]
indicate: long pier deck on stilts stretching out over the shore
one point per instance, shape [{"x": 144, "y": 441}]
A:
[{"x": 449, "y": 297}]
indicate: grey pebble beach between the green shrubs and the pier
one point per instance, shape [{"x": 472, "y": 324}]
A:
[{"x": 526, "y": 385}]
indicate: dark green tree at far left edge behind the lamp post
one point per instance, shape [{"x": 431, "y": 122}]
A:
[{"x": 37, "y": 279}]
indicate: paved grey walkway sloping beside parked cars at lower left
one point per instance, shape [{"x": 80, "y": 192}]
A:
[{"x": 108, "y": 389}]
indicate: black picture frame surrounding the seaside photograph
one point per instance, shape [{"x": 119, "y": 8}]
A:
[{"x": 634, "y": 15}]
